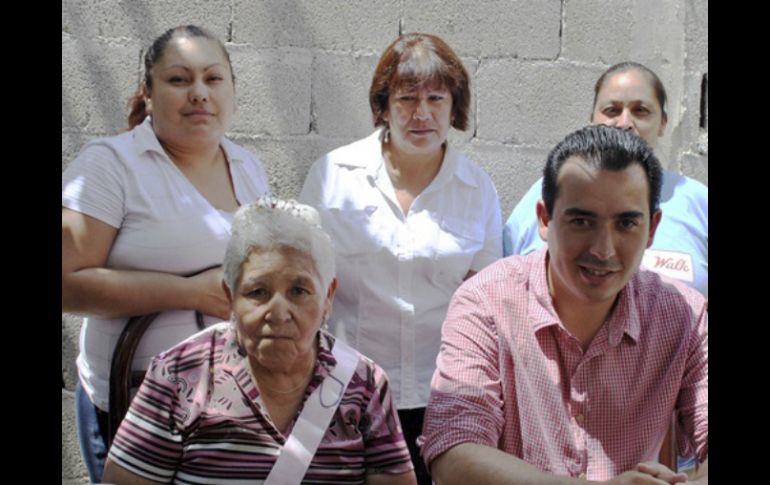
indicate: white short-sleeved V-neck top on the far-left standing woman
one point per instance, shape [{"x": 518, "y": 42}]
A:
[{"x": 165, "y": 225}]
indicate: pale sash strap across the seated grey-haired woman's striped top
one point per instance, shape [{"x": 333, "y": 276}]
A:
[{"x": 313, "y": 421}]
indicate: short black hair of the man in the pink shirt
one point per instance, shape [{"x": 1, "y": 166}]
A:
[{"x": 604, "y": 148}]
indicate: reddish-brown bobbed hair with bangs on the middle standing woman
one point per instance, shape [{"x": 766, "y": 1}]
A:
[{"x": 415, "y": 59}]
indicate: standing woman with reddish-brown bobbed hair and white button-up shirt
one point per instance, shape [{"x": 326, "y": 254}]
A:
[{"x": 410, "y": 217}]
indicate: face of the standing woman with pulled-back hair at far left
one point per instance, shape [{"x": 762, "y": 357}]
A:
[{"x": 192, "y": 95}]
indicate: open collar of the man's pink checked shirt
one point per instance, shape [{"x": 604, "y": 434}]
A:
[{"x": 624, "y": 318}]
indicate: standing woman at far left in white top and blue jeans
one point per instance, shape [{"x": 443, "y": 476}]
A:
[{"x": 145, "y": 208}]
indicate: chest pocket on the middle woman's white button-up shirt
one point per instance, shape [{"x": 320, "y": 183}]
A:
[{"x": 458, "y": 242}]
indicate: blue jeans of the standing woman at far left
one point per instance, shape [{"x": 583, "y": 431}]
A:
[{"x": 92, "y": 425}]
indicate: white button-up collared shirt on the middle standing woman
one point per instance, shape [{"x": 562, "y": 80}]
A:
[{"x": 396, "y": 272}]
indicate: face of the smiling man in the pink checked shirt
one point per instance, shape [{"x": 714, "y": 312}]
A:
[{"x": 598, "y": 232}]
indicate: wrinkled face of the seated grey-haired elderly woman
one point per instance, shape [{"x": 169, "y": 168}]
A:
[{"x": 278, "y": 307}]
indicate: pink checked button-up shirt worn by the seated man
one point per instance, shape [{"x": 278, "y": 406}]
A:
[{"x": 510, "y": 376}]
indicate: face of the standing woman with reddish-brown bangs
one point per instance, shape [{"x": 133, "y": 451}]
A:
[{"x": 419, "y": 118}]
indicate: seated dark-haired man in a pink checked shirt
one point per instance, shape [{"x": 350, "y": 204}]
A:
[{"x": 566, "y": 364}]
